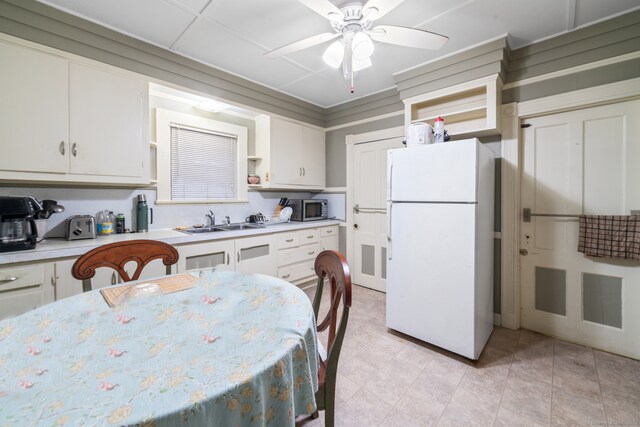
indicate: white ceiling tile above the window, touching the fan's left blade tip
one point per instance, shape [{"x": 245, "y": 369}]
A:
[{"x": 210, "y": 43}]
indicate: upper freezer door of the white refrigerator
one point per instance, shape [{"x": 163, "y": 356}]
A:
[{"x": 434, "y": 173}]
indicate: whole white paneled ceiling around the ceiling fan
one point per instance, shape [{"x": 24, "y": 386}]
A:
[{"x": 234, "y": 35}]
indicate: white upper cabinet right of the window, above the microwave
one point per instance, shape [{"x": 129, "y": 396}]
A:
[{"x": 291, "y": 155}]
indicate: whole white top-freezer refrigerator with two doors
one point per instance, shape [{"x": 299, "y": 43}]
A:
[{"x": 440, "y": 244}]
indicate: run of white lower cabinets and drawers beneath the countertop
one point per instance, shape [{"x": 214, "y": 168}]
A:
[{"x": 288, "y": 255}]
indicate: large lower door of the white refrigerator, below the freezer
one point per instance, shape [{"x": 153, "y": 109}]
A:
[{"x": 430, "y": 276}]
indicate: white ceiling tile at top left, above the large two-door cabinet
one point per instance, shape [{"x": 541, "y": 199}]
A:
[{"x": 156, "y": 21}]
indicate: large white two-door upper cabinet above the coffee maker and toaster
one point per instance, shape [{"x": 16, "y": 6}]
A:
[{"x": 66, "y": 121}]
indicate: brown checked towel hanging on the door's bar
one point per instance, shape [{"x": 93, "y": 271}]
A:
[{"x": 610, "y": 236}]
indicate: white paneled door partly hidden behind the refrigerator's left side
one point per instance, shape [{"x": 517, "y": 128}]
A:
[{"x": 369, "y": 213}]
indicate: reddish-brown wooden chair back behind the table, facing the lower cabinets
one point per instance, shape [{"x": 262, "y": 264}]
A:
[{"x": 117, "y": 255}]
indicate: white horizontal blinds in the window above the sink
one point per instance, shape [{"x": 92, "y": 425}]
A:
[{"x": 203, "y": 164}]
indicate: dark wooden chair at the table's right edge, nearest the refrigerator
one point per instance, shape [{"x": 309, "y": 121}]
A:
[{"x": 331, "y": 265}]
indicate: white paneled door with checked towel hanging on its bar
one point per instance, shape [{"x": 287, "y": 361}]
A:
[{"x": 580, "y": 162}]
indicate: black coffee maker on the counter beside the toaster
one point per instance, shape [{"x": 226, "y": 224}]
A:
[{"x": 17, "y": 227}]
